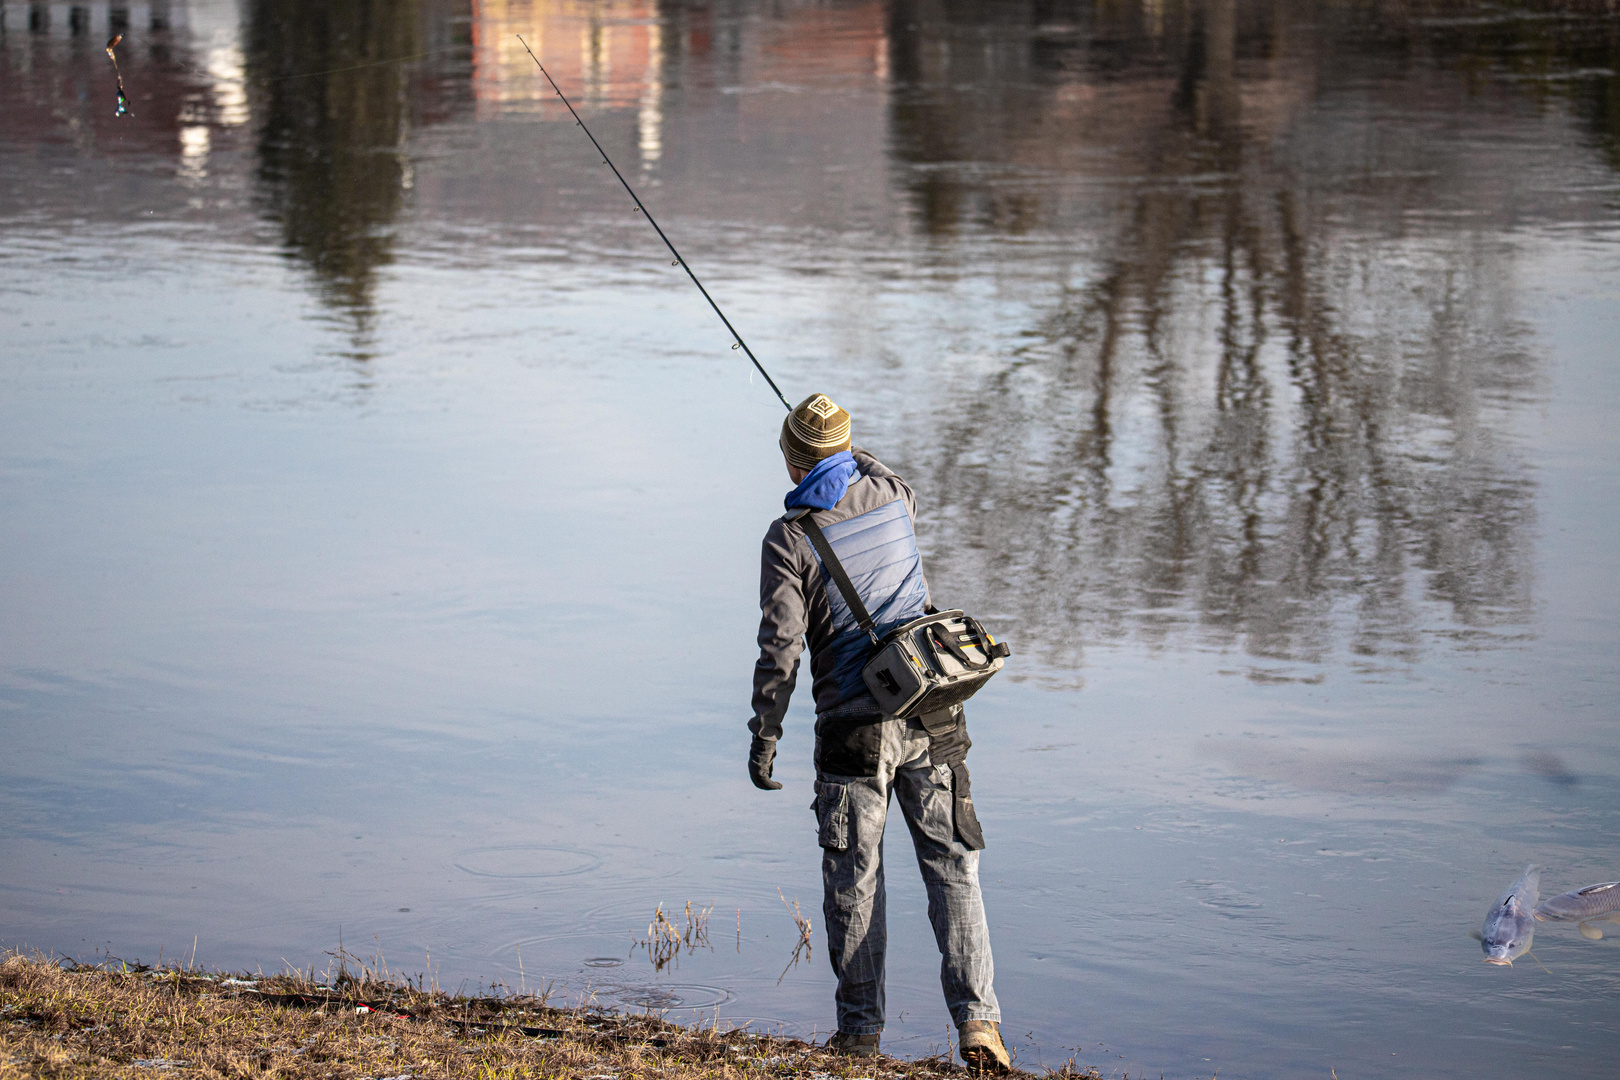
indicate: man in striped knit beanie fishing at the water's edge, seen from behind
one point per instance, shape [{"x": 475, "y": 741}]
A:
[{"x": 863, "y": 757}]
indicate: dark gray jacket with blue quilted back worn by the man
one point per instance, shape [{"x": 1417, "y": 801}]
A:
[{"x": 795, "y": 603}]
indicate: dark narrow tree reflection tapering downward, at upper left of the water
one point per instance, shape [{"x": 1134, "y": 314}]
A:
[{"x": 331, "y": 145}]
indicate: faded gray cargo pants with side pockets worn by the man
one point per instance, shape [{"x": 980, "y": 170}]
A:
[{"x": 861, "y": 762}]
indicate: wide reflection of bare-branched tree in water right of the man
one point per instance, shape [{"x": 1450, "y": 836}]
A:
[{"x": 1245, "y": 415}]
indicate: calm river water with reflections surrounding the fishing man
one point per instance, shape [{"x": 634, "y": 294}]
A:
[{"x": 382, "y": 509}]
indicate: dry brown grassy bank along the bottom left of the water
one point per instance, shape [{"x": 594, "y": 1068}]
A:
[{"x": 69, "y": 1021}]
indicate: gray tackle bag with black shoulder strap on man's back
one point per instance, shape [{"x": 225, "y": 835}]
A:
[{"x": 923, "y": 666}]
